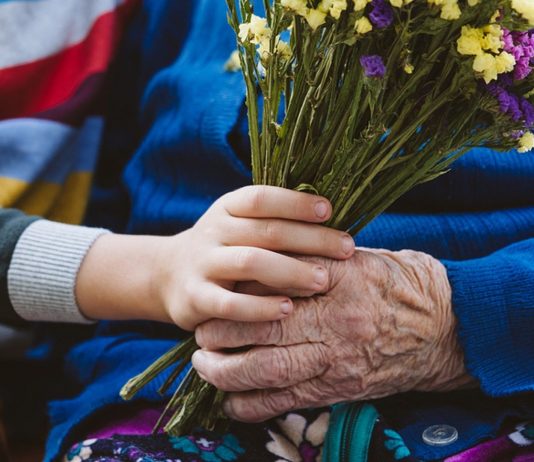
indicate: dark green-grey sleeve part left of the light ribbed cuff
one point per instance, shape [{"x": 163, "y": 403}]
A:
[{"x": 12, "y": 224}]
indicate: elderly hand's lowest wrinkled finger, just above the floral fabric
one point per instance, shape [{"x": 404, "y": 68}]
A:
[{"x": 260, "y": 405}]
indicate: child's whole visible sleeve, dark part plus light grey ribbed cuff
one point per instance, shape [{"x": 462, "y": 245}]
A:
[{"x": 39, "y": 263}]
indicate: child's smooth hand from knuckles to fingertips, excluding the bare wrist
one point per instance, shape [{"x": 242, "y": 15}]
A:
[{"x": 236, "y": 240}]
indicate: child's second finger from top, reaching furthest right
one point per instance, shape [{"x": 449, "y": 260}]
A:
[{"x": 289, "y": 236}]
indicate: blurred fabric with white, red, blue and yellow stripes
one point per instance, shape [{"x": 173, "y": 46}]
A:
[{"x": 54, "y": 55}]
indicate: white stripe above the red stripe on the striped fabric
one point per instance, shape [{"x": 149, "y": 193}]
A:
[{"x": 34, "y": 30}]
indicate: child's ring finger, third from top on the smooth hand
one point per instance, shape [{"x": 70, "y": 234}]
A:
[{"x": 266, "y": 267}]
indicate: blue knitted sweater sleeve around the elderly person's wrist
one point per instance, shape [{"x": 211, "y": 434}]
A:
[{"x": 493, "y": 299}]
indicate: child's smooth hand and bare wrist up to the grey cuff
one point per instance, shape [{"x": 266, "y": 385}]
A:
[{"x": 190, "y": 278}]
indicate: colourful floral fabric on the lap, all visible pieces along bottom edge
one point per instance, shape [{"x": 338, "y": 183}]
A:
[{"x": 295, "y": 437}]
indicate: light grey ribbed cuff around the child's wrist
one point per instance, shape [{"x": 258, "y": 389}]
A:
[{"x": 42, "y": 274}]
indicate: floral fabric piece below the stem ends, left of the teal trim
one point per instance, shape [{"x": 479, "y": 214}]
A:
[{"x": 295, "y": 437}]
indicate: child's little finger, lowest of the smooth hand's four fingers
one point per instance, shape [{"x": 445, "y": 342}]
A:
[{"x": 216, "y": 302}]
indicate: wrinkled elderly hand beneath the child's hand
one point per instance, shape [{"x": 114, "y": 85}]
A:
[{"x": 384, "y": 326}]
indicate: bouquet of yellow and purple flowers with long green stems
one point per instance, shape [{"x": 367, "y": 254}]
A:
[{"x": 361, "y": 100}]
